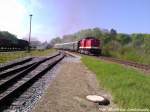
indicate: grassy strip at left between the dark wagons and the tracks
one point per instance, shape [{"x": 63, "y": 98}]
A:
[{"x": 8, "y": 56}]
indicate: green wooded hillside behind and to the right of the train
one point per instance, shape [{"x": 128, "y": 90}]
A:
[{"x": 134, "y": 47}]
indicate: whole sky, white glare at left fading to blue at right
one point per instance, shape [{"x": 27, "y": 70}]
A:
[{"x": 52, "y": 18}]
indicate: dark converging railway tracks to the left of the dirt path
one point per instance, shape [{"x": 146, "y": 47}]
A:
[{"x": 16, "y": 78}]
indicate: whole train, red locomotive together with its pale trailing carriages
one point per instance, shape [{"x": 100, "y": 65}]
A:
[{"x": 88, "y": 45}]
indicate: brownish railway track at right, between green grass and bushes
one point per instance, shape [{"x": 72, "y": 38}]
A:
[{"x": 129, "y": 63}]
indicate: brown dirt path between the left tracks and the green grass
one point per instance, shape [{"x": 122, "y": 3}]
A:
[{"x": 68, "y": 91}]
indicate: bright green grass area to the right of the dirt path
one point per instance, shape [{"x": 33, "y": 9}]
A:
[{"x": 129, "y": 88}]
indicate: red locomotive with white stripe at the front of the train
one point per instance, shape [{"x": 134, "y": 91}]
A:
[{"x": 90, "y": 45}]
